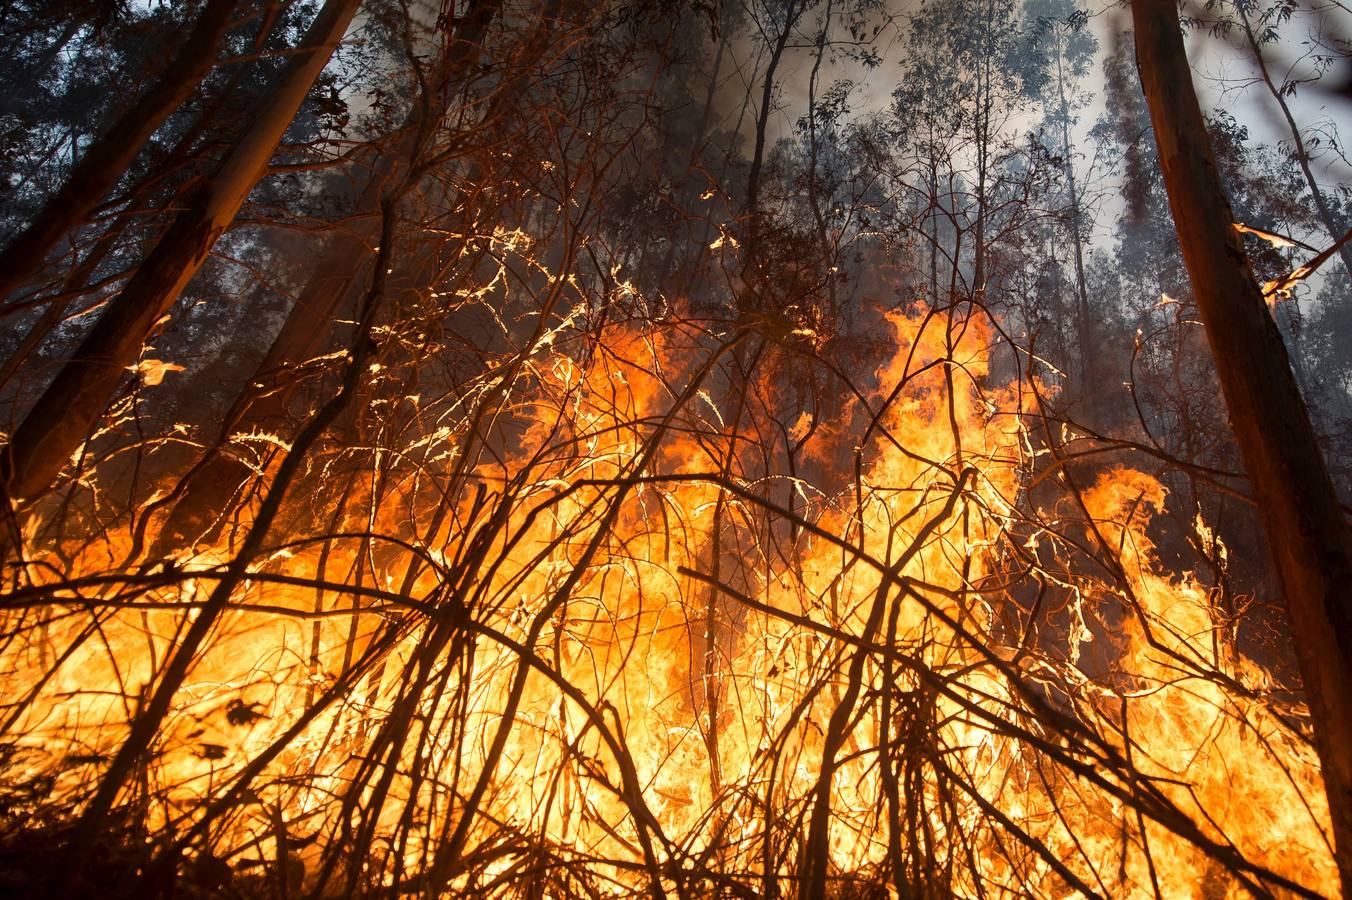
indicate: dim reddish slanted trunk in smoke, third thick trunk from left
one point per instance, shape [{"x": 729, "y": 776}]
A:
[{"x": 208, "y": 493}]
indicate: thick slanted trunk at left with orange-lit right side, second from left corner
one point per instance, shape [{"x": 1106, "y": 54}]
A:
[{"x": 68, "y": 410}]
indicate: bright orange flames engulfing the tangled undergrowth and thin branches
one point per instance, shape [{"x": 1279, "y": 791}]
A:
[{"x": 636, "y": 611}]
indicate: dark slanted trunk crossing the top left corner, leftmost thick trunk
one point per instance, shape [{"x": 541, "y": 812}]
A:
[{"x": 106, "y": 161}]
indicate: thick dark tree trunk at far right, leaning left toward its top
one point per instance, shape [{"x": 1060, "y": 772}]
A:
[{"x": 1305, "y": 529}]
